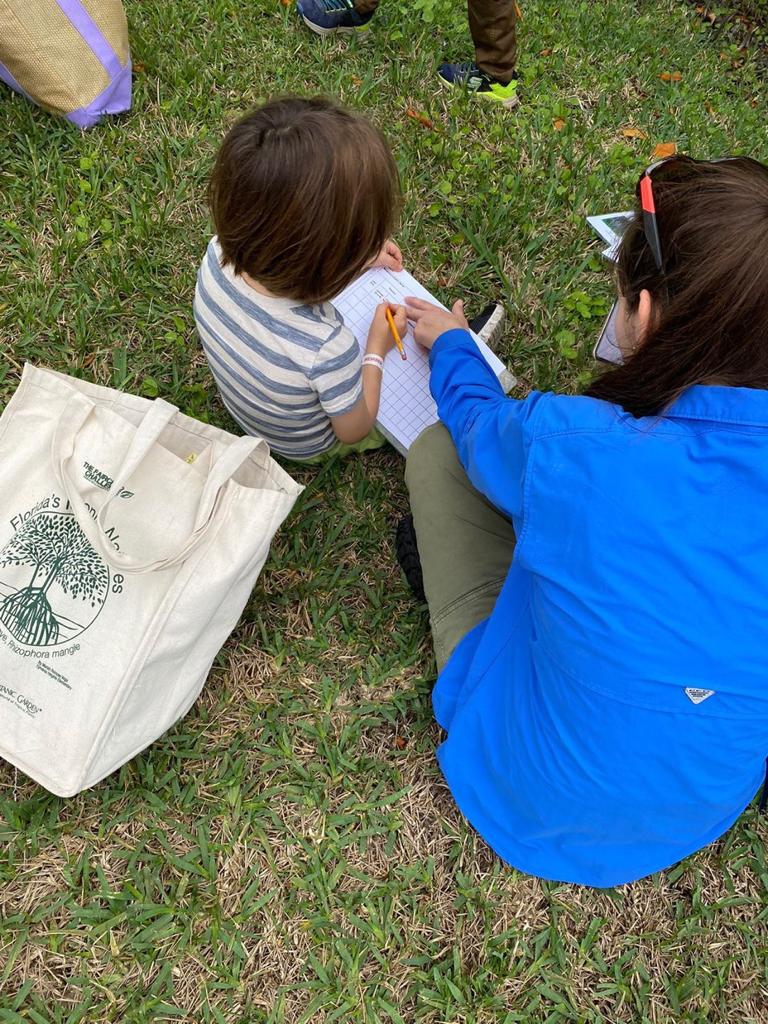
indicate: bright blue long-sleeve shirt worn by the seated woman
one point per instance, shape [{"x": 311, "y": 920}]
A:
[{"x": 583, "y": 741}]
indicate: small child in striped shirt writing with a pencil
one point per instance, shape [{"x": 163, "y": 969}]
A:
[{"x": 305, "y": 196}]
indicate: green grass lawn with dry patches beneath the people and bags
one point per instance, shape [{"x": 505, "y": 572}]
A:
[{"x": 289, "y": 852}]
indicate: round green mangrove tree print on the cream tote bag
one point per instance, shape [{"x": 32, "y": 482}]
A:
[{"x": 57, "y": 585}]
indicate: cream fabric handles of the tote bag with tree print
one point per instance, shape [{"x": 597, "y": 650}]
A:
[{"x": 72, "y": 421}]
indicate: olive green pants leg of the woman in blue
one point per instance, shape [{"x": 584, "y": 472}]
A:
[{"x": 465, "y": 544}]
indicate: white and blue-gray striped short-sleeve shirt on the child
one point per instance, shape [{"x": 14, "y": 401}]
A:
[{"x": 282, "y": 368}]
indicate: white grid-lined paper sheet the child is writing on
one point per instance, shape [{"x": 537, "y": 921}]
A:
[{"x": 407, "y": 407}]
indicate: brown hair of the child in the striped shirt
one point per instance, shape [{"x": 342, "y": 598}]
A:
[{"x": 304, "y": 196}]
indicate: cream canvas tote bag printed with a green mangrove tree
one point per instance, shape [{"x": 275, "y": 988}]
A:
[{"x": 131, "y": 539}]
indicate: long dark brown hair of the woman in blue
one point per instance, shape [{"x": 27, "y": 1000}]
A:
[{"x": 711, "y": 296}]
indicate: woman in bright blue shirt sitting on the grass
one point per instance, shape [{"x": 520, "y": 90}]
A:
[{"x": 605, "y": 689}]
